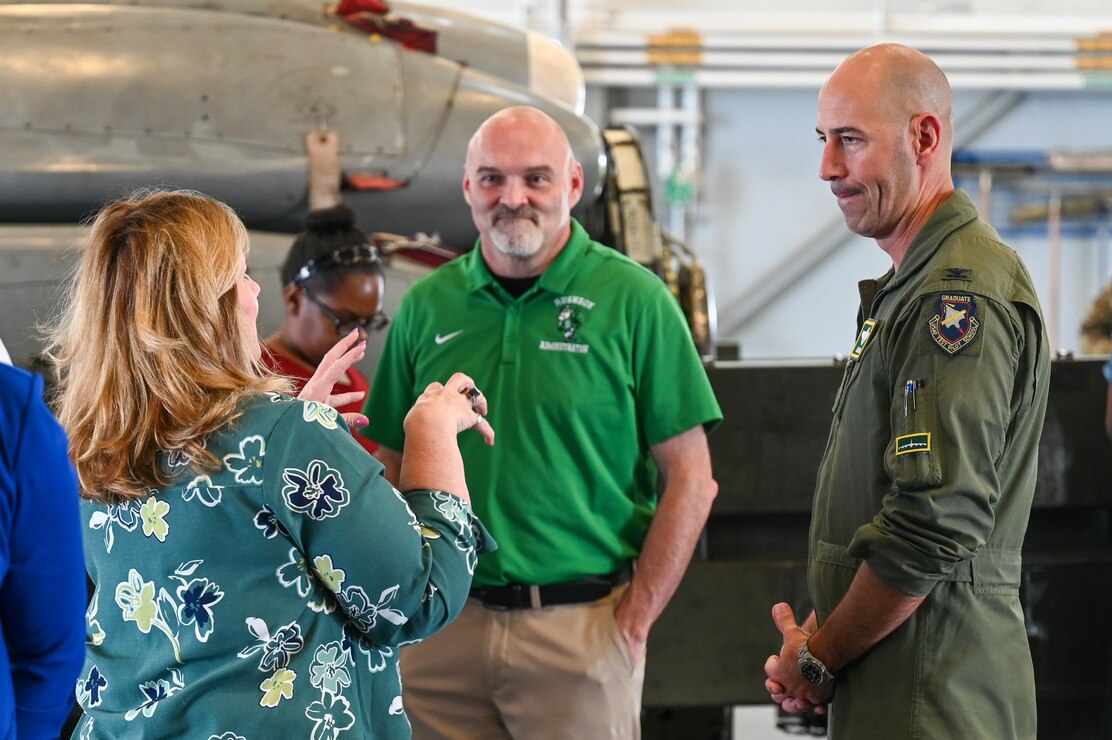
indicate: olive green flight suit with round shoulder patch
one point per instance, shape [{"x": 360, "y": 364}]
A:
[{"x": 929, "y": 477}]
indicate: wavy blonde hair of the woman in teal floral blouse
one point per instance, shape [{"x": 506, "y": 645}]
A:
[{"x": 152, "y": 353}]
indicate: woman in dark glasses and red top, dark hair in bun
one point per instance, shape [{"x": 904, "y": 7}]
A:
[{"x": 333, "y": 284}]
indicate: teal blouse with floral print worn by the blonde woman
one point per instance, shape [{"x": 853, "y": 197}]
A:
[{"x": 269, "y": 599}]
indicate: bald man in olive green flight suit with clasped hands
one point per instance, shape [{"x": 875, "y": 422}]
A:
[{"x": 925, "y": 491}]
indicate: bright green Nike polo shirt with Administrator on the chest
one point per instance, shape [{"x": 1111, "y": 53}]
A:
[{"x": 583, "y": 374}]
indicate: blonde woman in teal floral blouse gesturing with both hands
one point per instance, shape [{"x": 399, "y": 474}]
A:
[{"x": 255, "y": 571}]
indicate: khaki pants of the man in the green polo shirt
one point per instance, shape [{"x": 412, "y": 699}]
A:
[{"x": 557, "y": 674}]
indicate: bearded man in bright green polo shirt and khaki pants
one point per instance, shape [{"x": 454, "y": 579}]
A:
[{"x": 598, "y": 394}]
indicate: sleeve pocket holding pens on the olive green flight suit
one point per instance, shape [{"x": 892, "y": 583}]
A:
[{"x": 912, "y": 458}]
